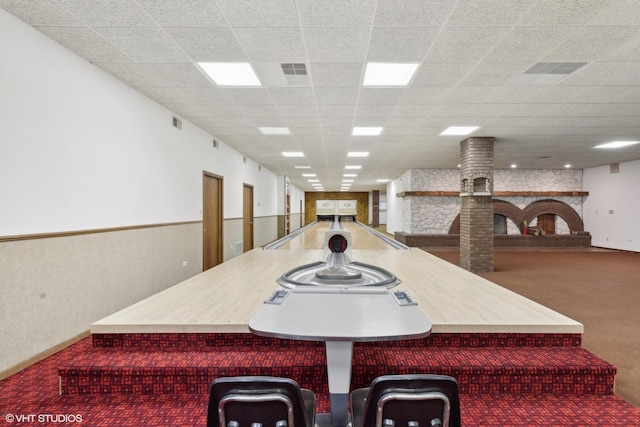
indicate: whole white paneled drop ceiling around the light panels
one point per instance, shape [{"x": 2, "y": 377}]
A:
[{"x": 505, "y": 66}]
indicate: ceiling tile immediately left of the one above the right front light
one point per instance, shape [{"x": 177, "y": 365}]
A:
[{"x": 337, "y": 44}]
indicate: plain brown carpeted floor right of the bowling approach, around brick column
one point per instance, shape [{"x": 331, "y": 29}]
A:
[{"x": 600, "y": 289}]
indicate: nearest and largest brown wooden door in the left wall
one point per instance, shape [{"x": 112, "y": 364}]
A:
[{"x": 212, "y": 218}]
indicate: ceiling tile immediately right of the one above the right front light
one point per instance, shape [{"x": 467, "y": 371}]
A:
[{"x": 464, "y": 43}]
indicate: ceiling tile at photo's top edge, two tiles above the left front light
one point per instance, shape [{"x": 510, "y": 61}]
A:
[{"x": 191, "y": 13}]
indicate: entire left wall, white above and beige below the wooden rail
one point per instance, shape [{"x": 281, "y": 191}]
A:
[{"x": 79, "y": 150}]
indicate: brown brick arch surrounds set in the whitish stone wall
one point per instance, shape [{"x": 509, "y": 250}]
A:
[{"x": 533, "y": 210}]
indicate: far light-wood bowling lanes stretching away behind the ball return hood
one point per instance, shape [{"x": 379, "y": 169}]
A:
[{"x": 313, "y": 238}]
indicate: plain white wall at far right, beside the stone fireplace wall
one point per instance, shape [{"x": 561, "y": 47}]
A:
[{"x": 612, "y": 209}]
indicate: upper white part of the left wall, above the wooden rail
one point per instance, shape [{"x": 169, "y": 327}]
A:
[{"x": 81, "y": 150}]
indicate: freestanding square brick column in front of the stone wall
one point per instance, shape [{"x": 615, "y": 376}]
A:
[{"x": 476, "y": 213}]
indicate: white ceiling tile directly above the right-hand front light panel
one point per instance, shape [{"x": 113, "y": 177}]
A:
[{"x": 400, "y": 44}]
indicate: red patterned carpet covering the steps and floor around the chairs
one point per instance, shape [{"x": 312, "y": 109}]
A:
[{"x": 32, "y": 396}]
